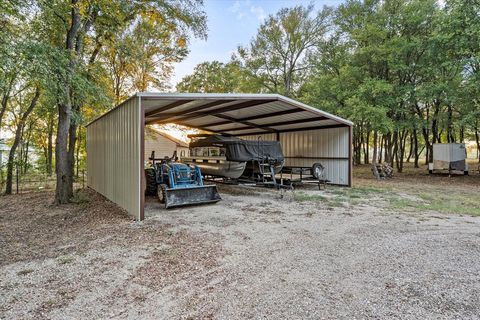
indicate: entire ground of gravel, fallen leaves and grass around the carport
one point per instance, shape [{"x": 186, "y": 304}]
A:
[{"x": 403, "y": 248}]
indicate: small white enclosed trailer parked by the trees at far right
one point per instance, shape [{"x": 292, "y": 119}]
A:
[{"x": 449, "y": 156}]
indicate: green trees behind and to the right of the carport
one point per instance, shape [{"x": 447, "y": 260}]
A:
[{"x": 405, "y": 72}]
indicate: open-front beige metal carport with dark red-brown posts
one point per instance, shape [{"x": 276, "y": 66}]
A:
[{"x": 115, "y": 140}]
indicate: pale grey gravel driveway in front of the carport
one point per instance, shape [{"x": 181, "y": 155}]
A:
[{"x": 295, "y": 260}]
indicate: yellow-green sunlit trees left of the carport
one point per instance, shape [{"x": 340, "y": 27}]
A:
[{"x": 96, "y": 53}]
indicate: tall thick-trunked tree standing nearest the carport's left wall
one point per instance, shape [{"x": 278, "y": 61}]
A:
[{"x": 81, "y": 28}]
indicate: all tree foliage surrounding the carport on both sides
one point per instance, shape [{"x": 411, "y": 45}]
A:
[{"x": 407, "y": 73}]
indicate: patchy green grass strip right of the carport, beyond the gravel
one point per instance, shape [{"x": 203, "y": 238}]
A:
[{"x": 410, "y": 192}]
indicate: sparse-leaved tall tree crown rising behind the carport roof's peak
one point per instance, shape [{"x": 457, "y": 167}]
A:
[{"x": 277, "y": 58}]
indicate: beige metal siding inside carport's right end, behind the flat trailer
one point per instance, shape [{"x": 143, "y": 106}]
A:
[{"x": 330, "y": 147}]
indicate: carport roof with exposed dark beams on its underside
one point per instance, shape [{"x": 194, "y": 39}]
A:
[{"x": 235, "y": 114}]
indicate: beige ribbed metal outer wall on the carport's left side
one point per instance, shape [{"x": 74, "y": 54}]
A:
[{"x": 114, "y": 156}]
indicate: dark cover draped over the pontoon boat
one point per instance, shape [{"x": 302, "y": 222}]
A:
[{"x": 242, "y": 150}]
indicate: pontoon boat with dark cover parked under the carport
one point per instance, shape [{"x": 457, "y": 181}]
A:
[{"x": 233, "y": 158}]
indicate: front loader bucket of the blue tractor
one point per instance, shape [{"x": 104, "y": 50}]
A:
[{"x": 192, "y": 195}]
